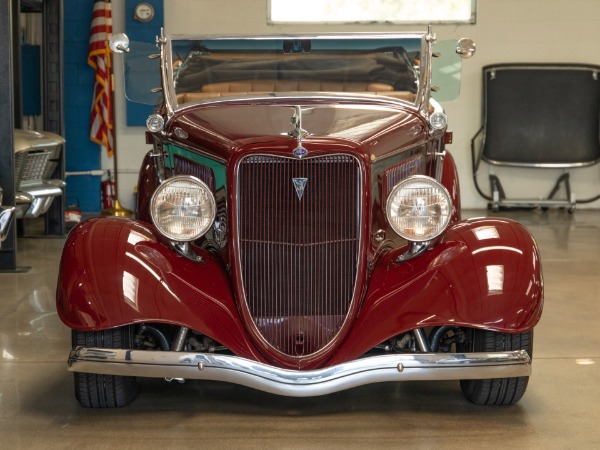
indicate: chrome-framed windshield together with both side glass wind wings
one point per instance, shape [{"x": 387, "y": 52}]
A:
[{"x": 198, "y": 69}]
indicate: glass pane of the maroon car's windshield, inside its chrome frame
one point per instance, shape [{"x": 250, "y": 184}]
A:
[{"x": 207, "y": 68}]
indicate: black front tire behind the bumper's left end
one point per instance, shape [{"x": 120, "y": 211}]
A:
[{"x": 104, "y": 391}]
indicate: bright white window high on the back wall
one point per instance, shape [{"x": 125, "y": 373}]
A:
[{"x": 372, "y": 11}]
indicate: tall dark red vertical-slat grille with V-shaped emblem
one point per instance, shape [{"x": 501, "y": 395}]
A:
[{"x": 299, "y": 254}]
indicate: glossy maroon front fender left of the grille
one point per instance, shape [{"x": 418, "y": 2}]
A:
[{"x": 115, "y": 272}]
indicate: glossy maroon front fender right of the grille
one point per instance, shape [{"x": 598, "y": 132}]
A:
[{"x": 483, "y": 273}]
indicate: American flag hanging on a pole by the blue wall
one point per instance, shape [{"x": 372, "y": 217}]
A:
[{"x": 101, "y": 121}]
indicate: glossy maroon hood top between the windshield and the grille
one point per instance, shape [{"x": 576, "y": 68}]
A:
[{"x": 372, "y": 127}]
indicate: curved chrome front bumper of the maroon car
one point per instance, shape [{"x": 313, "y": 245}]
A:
[{"x": 297, "y": 383}]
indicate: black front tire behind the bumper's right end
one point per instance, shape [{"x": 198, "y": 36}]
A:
[{"x": 496, "y": 391}]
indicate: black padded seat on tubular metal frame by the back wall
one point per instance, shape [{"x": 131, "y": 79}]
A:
[{"x": 538, "y": 116}]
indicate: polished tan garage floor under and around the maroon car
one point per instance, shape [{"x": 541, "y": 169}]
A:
[{"x": 561, "y": 408}]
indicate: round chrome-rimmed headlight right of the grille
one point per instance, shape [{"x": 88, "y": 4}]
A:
[{"x": 419, "y": 208}]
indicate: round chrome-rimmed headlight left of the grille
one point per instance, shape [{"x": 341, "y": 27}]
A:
[{"x": 183, "y": 208}]
